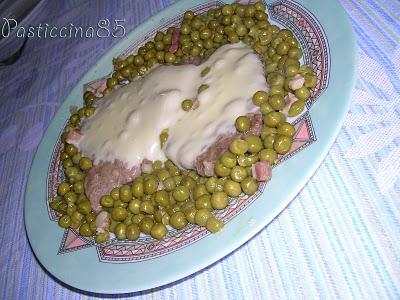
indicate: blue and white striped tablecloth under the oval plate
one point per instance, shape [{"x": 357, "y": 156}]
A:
[{"x": 339, "y": 238}]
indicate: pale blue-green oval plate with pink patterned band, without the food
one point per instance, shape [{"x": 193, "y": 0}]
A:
[{"x": 328, "y": 43}]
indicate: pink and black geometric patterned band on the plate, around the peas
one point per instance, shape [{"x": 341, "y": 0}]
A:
[{"x": 315, "y": 48}]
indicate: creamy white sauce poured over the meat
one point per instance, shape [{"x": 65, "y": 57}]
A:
[{"x": 127, "y": 123}]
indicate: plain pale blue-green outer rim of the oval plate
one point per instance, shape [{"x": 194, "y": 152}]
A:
[{"x": 82, "y": 269}]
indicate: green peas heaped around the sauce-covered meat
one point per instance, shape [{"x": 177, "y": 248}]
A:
[{"x": 185, "y": 197}]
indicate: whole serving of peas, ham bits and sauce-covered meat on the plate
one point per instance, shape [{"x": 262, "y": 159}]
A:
[{"x": 197, "y": 117}]
